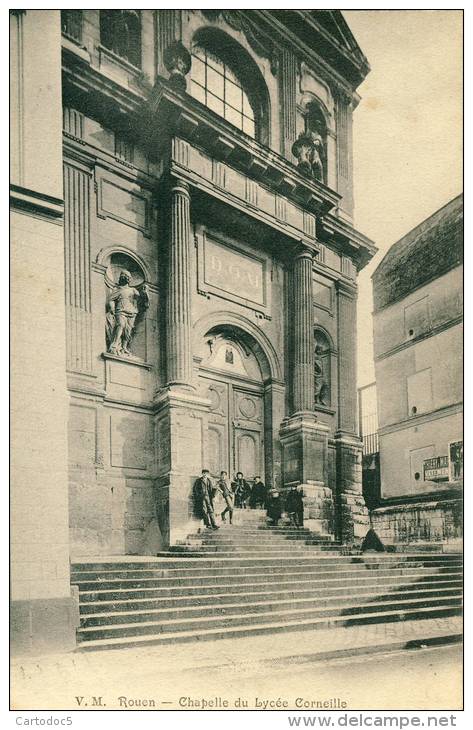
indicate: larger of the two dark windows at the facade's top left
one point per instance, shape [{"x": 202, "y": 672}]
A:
[{"x": 120, "y": 32}]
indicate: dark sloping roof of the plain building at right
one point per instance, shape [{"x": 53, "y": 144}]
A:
[{"x": 431, "y": 249}]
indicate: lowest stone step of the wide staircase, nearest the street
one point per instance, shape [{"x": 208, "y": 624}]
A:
[{"x": 95, "y": 638}]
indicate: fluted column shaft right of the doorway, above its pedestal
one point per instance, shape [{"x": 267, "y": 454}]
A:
[{"x": 303, "y": 375}]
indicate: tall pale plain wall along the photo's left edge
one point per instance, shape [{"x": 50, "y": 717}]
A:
[{"x": 43, "y": 612}]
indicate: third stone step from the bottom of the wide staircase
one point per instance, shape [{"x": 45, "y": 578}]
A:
[{"x": 222, "y": 603}]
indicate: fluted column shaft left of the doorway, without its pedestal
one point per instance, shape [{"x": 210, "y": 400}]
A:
[{"x": 178, "y": 305}]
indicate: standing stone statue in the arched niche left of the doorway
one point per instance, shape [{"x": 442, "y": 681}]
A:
[{"x": 126, "y": 307}]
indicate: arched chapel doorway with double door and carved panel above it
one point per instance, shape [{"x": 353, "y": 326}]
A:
[{"x": 231, "y": 378}]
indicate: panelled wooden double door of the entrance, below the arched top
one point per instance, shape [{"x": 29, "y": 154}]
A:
[{"x": 235, "y": 427}]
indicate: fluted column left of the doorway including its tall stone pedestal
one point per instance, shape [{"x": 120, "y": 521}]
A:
[{"x": 180, "y": 428}]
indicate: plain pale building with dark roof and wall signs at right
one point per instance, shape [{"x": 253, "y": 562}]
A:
[{"x": 418, "y": 347}]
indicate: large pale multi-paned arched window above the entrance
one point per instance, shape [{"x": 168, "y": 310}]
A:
[{"x": 217, "y": 86}]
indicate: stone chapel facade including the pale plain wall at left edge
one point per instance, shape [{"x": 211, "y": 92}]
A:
[{"x": 209, "y": 155}]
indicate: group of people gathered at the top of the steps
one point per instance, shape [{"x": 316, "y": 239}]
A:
[{"x": 210, "y": 495}]
